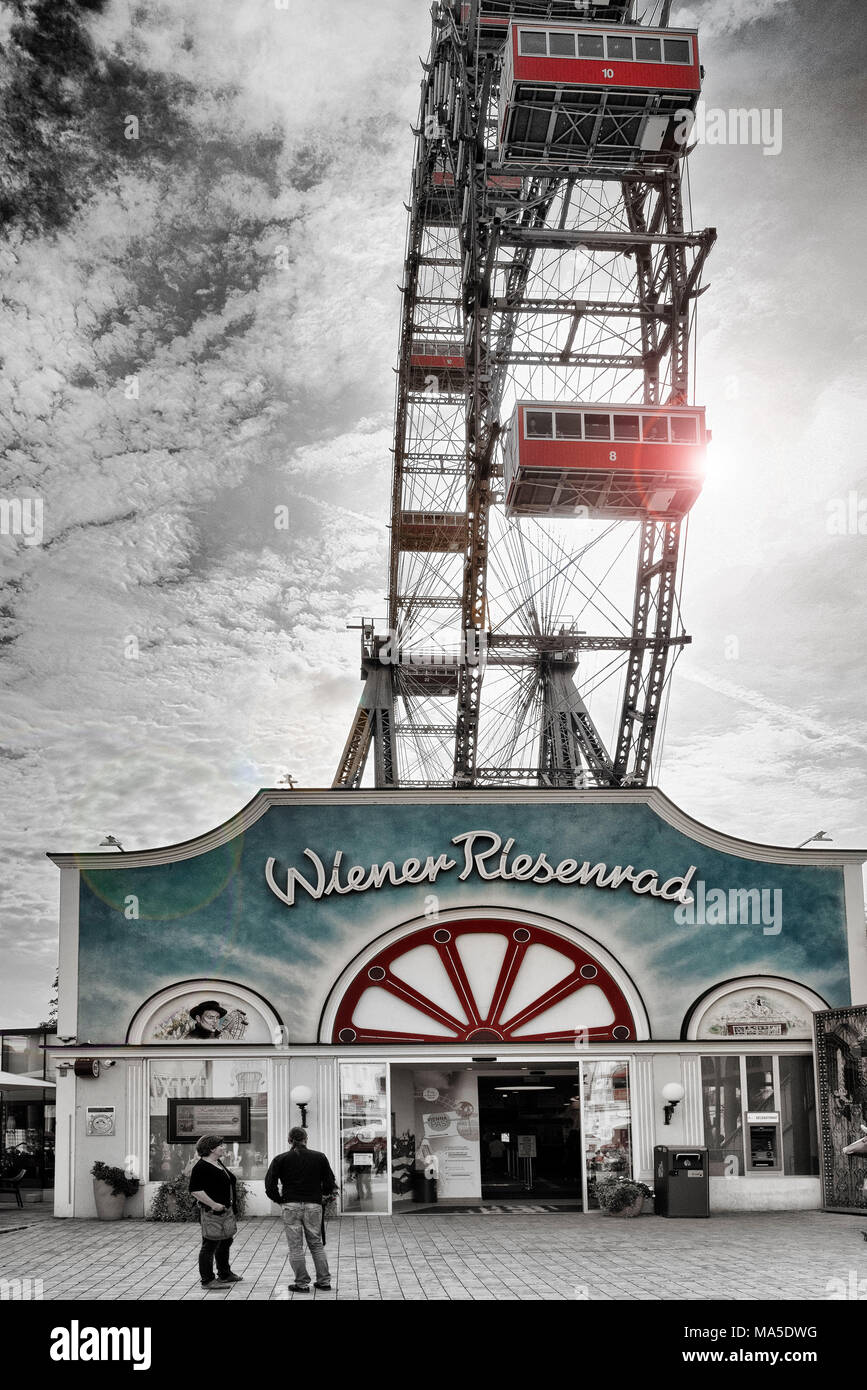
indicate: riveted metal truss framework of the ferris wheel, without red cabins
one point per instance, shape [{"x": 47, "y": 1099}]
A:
[{"x": 554, "y": 281}]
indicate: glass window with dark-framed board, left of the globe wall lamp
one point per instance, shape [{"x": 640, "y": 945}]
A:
[{"x": 220, "y": 1078}]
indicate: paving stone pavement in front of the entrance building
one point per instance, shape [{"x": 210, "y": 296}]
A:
[{"x": 527, "y": 1257}]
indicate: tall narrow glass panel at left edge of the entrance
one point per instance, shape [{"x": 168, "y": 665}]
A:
[{"x": 365, "y": 1136}]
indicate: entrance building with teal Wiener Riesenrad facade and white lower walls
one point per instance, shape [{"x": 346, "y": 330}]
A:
[{"x": 506, "y": 995}]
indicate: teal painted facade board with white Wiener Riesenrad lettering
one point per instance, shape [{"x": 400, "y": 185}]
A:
[{"x": 279, "y": 903}]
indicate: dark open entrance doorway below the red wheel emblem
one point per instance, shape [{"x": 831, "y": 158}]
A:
[{"x": 531, "y": 1136}]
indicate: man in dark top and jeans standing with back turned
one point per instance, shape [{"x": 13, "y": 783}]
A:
[{"x": 298, "y": 1181}]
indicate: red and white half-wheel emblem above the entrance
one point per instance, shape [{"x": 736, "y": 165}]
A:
[{"x": 483, "y": 981}]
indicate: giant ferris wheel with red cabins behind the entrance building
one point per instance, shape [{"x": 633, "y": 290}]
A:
[{"x": 547, "y": 447}]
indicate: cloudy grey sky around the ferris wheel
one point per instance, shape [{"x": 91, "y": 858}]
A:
[{"x": 202, "y": 241}]
